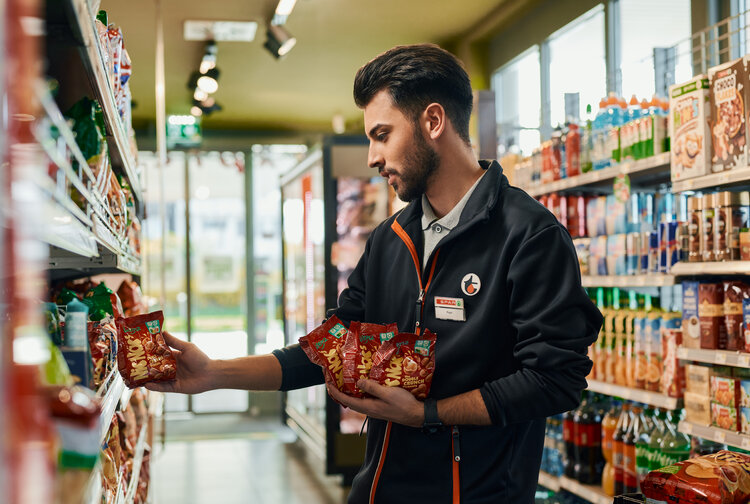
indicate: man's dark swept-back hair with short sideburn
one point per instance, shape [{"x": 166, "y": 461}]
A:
[{"x": 415, "y": 76}]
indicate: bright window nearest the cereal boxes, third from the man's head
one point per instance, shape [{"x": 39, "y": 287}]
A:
[{"x": 643, "y": 28}]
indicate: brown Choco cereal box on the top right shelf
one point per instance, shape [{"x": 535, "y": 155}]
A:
[{"x": 728, "y": 84}]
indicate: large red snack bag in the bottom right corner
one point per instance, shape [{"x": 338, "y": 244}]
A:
[{"x": 718, "y": 478}]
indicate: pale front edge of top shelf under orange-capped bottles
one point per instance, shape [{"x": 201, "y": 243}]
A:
[{"x": 652, "y": 165}]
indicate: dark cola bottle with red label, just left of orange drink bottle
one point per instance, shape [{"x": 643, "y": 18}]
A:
[{"x": 588, "y": 443}]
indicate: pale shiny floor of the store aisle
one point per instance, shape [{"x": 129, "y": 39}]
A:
[{"x": 232, "y": 459}]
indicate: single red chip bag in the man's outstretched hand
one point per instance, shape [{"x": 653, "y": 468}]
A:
[{"x": 143, "y": 356}]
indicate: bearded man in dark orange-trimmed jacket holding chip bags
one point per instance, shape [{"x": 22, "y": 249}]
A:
[{"x": 514, "y": 353}]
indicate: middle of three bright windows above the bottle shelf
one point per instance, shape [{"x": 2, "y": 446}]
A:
[{"x": 577, "y": 66}]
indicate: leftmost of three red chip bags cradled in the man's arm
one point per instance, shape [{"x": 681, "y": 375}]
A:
[{"x": 323, "y": 347}]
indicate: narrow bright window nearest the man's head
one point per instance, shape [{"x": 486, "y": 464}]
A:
[{"x": 517, "y": 88}]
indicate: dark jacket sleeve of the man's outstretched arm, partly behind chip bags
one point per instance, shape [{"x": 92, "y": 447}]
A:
[{"x": 296, "y": 369}]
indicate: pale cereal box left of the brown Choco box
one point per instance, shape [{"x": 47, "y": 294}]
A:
[{"x": 689, "y": 128}]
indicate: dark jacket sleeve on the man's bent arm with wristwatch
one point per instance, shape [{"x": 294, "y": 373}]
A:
[{"x": 555, "y": 323}]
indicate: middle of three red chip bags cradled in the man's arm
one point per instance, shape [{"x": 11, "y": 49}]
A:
[{"x": 362, "y": 342}]
